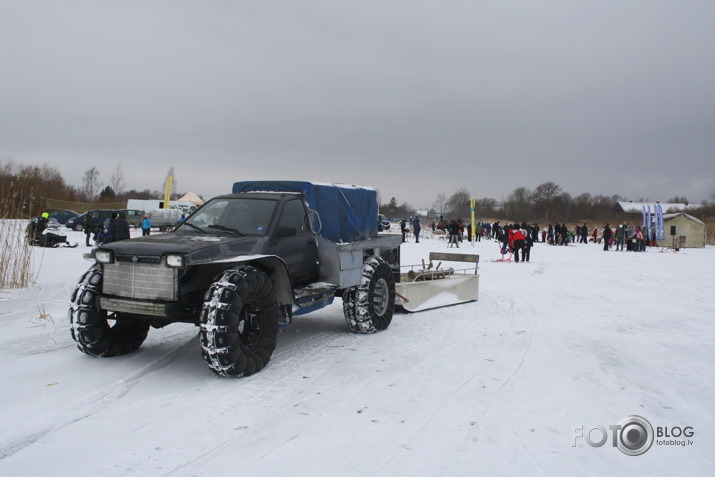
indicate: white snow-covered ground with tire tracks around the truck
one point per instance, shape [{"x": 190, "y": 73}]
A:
[{"x": 576, "y": 338}]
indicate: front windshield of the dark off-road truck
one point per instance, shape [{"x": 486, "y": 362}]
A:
[{"x": 234, "y": 216}]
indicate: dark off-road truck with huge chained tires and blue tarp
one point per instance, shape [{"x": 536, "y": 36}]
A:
[{"x": 239, "y": 267}]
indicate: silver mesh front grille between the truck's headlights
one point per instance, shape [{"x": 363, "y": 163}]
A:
[{"x": 143, "y": 281}]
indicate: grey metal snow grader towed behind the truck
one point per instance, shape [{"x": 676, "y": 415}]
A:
[{"x": 433, "y": 286}]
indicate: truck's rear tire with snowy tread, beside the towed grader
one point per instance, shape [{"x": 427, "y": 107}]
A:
[{"x": 369, "y": 306}]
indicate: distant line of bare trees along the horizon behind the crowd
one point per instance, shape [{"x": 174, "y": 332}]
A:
[{"x": 24, "y": 191}]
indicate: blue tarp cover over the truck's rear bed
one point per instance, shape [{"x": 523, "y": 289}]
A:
[{"x": 348, "y": 213}]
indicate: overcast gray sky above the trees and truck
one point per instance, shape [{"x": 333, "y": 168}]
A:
[{"x": 412, "y": 98}]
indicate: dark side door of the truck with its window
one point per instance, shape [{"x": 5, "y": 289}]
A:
[{"x": 294, "y": 241}]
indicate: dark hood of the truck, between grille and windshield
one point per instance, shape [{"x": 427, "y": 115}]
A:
[{"x": 196, "y": 248}]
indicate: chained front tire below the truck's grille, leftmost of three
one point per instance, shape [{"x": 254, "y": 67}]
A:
[{"x": 97, "y": 332}]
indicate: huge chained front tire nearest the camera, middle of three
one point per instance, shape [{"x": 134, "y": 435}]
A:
[{"x": 239, "y": 322}]
